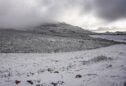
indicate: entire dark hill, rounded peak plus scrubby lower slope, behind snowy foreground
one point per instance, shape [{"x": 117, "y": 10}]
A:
[{"x": 49, "y": 38}]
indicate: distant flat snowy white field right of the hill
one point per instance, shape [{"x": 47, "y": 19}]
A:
[{"x": 119, "y": 38}]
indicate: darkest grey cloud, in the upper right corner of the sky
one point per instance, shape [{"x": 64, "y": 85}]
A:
[{"x": 110, "y": 9}]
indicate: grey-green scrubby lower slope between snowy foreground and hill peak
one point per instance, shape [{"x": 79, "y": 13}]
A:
[{"x": 29, "y": 42}]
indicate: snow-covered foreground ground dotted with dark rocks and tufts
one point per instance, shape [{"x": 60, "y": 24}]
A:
[{"x": 98, "y": 67}]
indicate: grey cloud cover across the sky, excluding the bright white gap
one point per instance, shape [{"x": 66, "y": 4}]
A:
[{"x": 20, "y": 13}]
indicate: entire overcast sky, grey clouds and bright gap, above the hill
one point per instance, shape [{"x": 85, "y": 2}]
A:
[{"x": 89, "y": 14}]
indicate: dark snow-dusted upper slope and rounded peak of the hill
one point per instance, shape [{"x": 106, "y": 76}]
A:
[{"x": 62, "y": 30}]
